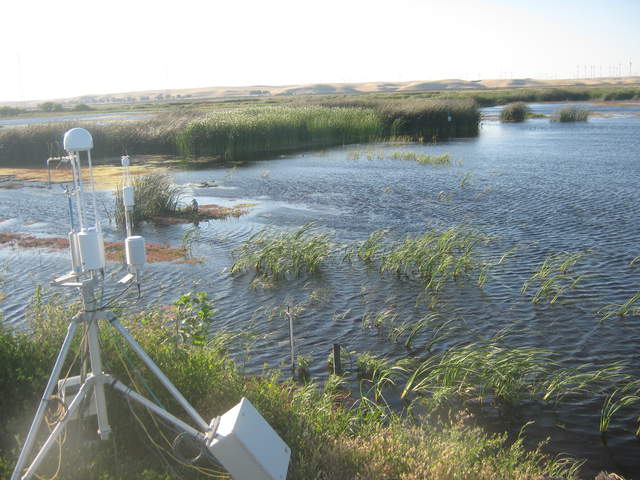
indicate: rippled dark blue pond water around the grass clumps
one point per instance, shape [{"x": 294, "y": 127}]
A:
[{"x": 535, "y": 188}]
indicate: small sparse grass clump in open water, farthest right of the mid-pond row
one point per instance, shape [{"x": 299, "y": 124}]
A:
[{"x": 553, "y": 277}]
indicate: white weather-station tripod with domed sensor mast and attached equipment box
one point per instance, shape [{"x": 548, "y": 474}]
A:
[{"x": 241, "y": 440}]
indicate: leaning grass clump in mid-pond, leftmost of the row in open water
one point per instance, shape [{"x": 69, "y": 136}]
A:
[{"x": 281, "y": 255}]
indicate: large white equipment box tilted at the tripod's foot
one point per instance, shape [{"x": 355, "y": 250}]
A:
[{"x": 247, "y": 447}]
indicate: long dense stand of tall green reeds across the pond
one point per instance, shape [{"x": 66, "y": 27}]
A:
[{"x": 250, "y": 132}]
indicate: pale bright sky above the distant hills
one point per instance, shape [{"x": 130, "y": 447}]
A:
[{"x": 55, "y": 49}]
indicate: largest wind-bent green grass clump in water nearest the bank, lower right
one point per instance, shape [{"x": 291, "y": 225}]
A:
[{"x": 492, "y": 372}]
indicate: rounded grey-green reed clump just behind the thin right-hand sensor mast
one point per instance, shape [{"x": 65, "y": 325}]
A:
[{"x": 155, "y": 196}]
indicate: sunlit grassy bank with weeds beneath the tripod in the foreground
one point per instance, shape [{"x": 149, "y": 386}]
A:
[{"x": 332, "y": 435}]
